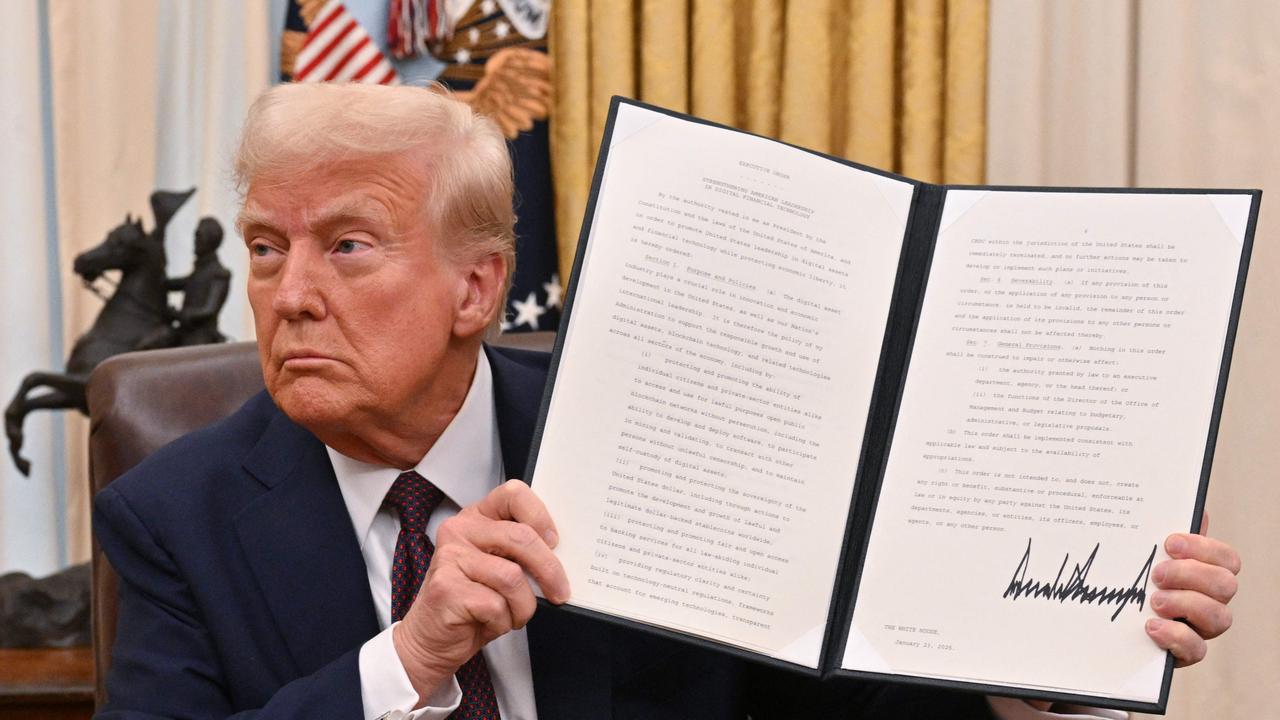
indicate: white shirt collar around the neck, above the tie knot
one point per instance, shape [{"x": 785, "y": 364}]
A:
[{"x": 465, "y": 462}]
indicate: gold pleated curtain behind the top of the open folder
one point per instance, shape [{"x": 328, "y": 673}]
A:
[{"x": 899, "y": 85}]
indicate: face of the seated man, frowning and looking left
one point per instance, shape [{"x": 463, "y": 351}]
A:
[{"x": 355, "y": 302}]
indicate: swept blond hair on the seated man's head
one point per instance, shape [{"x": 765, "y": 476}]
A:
[{"x": 469, "y": 186}]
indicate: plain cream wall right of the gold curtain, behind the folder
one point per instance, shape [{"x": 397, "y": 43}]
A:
[{"x": 1165, "y": 93}]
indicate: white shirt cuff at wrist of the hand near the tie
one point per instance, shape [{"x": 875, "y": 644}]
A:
[{"x": 387, "y": 692}]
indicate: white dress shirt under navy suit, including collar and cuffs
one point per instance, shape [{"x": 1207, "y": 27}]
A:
[{"x": 467, "y": 464}]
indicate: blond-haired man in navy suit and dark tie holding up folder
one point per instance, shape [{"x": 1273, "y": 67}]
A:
[{"x": 348, "y": 545}]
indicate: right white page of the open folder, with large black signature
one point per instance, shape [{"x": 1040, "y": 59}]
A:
[{"x": 1055, "y": 416}]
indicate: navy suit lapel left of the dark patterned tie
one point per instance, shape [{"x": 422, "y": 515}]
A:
[{"x": 303, "y": 549}]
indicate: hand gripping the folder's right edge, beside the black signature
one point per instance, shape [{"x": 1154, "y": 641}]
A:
[{"x": 1195, "y": 586}]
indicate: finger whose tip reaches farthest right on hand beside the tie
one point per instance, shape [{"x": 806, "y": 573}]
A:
[{"x": 518, "y": 543}]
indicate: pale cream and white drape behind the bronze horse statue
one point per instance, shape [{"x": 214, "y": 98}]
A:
[{"x": 147, "y": 94}]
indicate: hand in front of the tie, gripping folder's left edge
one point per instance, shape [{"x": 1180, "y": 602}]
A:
[{"x": 476, "y": 589}]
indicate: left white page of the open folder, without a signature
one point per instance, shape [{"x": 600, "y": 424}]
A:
[{"x": 707, "y": 420}]
